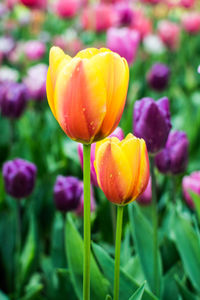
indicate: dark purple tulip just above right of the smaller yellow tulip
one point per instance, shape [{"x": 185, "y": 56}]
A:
[{"x": 152, "y": 122}]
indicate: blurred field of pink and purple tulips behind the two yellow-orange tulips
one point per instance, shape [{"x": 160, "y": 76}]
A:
[{"x": 41, "y": 168}]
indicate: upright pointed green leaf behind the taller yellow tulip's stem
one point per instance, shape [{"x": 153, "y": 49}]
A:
[{"x": 74, "y": 251}]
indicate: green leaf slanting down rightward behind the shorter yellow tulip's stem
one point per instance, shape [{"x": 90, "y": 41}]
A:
[{"x": 127, "y": 284}]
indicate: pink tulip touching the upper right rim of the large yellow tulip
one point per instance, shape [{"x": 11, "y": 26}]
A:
[{"x": 124, "y": 41}]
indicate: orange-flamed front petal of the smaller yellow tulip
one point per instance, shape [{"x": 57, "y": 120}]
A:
[{"x": 113, "y": 171}]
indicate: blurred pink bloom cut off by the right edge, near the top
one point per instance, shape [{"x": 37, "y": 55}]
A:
[{"x": 191, "y": 22}]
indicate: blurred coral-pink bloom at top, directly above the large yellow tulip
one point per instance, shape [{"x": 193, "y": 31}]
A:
[{"x": 99, "y": 17}]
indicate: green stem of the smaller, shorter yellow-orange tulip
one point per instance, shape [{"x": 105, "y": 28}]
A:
[{"x": 117, "y": 251}]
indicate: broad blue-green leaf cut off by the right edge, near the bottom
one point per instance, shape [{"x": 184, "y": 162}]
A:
[{"x": 188, "y": 245}]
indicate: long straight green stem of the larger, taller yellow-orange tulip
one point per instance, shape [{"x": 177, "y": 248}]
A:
[{"x": 87, "y": 233}]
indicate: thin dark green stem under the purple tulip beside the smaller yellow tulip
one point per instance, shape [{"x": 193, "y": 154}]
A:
[{"x": 155, "y": 225}]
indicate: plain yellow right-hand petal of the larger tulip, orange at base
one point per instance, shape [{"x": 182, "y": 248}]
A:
[{"x": 116, "y": 76}]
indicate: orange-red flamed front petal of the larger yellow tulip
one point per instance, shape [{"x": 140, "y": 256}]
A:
[{"x": 80, "y": 99}]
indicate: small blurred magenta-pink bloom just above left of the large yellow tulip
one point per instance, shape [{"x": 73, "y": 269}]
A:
[{"x": 34, "y": 50}]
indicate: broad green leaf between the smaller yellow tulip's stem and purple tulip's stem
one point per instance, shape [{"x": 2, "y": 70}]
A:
[{"x": 143, "y": 237}]
